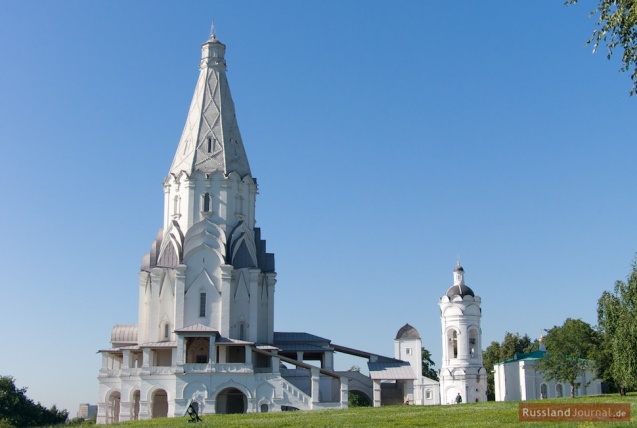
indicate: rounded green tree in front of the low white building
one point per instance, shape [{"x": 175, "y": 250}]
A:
[{"x": 569, "y": 352}]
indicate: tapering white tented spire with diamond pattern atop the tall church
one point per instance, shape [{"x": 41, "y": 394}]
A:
[{"x": 211, "y": 140}]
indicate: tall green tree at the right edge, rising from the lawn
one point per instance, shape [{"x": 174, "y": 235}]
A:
[{"x": 617, "y": 320}]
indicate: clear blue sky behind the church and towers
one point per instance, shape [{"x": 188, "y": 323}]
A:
[{"x": 389, "y": 139}]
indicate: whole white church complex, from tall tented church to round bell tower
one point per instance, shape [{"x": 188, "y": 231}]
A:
[{"x": 205, "y": 332}]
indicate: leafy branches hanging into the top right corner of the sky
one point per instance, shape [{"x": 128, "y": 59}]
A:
[{"x": 617, "y": 26}]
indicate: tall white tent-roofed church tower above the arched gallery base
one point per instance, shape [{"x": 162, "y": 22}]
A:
[{"x": 208, "y": 265}]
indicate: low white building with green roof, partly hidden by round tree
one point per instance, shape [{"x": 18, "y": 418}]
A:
[{"x": 519, "y": 379}]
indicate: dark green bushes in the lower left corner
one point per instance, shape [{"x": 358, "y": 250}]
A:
[{"x": 19, "y": 411}]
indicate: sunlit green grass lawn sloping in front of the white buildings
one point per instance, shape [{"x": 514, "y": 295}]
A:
[{"x": 464, "y": 415}]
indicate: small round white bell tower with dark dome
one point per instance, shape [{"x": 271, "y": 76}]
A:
[{"x": 462, "y": 371}]
